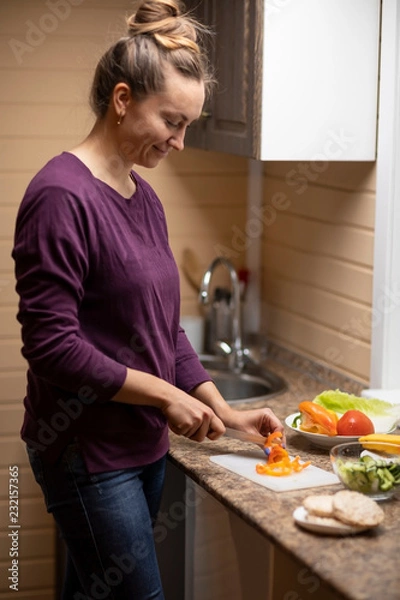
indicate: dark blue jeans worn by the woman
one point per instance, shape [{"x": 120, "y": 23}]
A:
[{"x": 107, "y": 522}]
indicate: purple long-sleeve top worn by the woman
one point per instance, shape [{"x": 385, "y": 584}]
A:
[{"x": 99, "y": 292}]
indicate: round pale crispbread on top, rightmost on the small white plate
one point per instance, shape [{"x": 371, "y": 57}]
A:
[{"x": 356, "y": 509}]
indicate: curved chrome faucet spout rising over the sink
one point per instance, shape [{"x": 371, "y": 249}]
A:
[{"x": 236, "y": 354}]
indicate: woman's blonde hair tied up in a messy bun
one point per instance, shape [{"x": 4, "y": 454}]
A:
[{"x": 159, "y": 32}]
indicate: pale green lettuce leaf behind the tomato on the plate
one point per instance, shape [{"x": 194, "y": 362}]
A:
[{"x": 383, "y": 414}]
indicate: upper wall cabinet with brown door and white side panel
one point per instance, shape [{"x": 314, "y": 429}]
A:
[{"x": 297, "y": 79}]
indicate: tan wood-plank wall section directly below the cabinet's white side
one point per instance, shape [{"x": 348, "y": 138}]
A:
[{"x": 318, "y": 261}]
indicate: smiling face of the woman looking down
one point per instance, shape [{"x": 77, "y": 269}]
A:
[{"x": 152, "y": 127}]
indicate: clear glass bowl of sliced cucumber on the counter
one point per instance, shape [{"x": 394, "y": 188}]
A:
[{"x": 370, "y": 467}]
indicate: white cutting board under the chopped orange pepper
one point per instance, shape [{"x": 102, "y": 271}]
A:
[{"x": 245, "y": 465}]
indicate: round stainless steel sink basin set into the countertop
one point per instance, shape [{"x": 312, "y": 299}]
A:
[{"x": 254, "y": 383}]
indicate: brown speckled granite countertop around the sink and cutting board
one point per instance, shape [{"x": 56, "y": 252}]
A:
[{"x": 358, "y": 567}]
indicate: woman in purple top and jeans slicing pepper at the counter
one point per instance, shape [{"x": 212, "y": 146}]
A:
[{"x": 110, "y": 370}]
